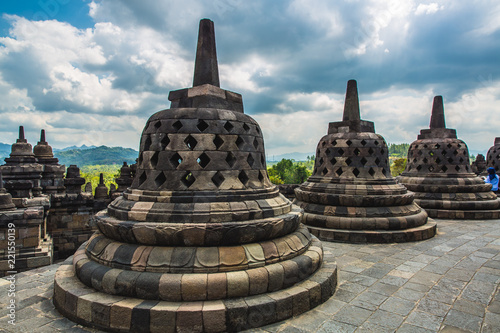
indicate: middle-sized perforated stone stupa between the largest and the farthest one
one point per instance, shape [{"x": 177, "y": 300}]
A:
[{"x": 351, "y": 196}]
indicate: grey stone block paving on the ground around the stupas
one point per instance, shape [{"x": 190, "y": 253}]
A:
[{"x": 445, "y": 284}]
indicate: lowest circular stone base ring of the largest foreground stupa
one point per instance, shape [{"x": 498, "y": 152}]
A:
[{"x": 90, "y": 307}]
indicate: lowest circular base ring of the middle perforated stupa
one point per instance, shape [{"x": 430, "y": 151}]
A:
[{"x": 419, "y": 233}]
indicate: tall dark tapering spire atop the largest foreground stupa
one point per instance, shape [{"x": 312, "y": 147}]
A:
[{"x": 206, "y": 70}]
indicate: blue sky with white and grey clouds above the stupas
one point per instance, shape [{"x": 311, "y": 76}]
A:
[{"x": 92, "y": 72}]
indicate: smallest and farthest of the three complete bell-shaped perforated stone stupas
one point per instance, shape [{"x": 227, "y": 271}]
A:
[{"x": 439, "y": 173}]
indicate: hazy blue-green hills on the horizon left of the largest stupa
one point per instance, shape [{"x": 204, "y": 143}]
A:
[{"x": 99, "y": 155}]
